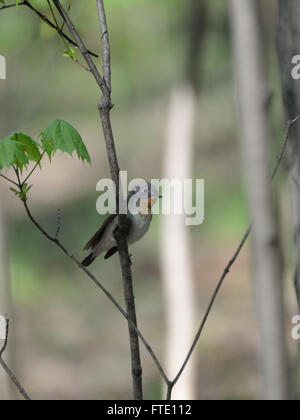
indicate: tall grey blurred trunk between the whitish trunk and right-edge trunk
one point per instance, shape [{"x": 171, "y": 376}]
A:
[{"x": 267, "y": 259}]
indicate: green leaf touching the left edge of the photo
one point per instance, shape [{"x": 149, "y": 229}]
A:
[{"x": 18, "y": 149}]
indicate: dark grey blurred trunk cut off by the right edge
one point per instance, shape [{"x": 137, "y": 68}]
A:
[{"x": 288, "y": 45}]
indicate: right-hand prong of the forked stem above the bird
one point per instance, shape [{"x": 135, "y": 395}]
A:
[{"x": 104, "y": 44}]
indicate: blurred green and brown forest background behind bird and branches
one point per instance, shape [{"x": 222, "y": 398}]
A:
[{"x": 67, "y": 341}]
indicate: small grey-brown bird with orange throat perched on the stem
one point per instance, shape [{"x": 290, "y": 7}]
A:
[{"x": 144, "y": 197}]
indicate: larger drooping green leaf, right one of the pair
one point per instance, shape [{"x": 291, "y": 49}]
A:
[{"x": 59, "y": 135}]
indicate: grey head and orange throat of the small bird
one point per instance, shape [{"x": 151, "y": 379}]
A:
[{"x": 142, "y": 198}]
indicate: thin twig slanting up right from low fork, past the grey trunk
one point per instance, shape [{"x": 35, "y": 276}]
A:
[{"x": 227, "y": 269}]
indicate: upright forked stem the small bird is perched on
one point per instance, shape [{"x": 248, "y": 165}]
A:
[{"x": 104, "y": 108}]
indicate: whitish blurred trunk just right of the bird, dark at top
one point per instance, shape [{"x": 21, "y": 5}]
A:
[{"x": 175, "y": 242}]
